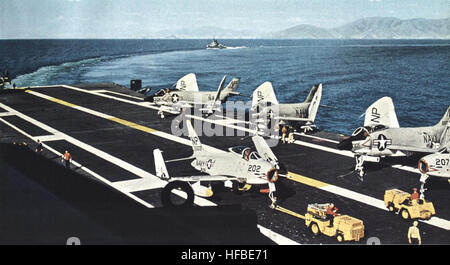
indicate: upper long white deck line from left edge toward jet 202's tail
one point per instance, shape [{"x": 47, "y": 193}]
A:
[{"x": 120, "y": 163}]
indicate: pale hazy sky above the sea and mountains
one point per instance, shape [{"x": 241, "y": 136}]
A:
[{"x": 139, "y": 18}]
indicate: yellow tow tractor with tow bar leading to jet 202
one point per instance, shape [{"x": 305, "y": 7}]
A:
[{"x": 345, "y": 228}]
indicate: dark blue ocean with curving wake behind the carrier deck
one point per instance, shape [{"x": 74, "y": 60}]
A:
[{"x": 354, "y": 73}]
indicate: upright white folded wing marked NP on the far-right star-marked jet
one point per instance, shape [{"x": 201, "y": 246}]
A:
[{"x": 381, "y": 112}]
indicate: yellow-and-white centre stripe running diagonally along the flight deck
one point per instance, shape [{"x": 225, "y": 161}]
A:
[{"x": 438, "y": 222}]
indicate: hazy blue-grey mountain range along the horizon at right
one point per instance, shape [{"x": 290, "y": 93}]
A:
[{"x": 366, "y": 28}]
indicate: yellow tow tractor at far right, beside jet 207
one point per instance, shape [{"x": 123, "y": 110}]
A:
[{"x": 398, "y": 201}]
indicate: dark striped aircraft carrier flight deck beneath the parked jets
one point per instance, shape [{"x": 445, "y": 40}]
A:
[{"x": 112, "y": 190}]
